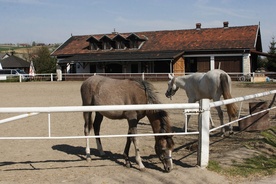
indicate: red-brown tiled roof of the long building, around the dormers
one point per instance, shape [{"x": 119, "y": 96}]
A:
[{"x": 242, "y": 37}]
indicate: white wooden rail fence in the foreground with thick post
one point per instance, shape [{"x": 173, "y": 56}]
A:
[{"x": 203, "y": 107}]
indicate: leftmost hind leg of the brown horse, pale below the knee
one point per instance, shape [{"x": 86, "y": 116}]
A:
[{"x": 87, "y": 129}]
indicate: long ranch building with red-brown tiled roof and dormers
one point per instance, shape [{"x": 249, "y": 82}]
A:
[{"x": 233, "y": 49}]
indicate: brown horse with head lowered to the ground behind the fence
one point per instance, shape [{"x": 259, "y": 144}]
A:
[{"x": 99, "y": 90}]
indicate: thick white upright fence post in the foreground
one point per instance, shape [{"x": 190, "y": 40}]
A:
[{"x": 203, "y": 139}]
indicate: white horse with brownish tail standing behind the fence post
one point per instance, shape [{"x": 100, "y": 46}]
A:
[{"x": 209, "y": 85}]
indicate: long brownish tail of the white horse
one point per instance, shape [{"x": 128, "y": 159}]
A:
[{"x": 225, "y": 85}]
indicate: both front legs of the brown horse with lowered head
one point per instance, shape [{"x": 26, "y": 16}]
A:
[{"x": 133, "y": 130}]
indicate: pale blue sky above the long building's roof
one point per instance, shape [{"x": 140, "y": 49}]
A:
[{"x": 53, "y": 21}]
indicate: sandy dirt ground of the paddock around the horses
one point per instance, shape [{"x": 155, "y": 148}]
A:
[{"x": 63, "y": 161}]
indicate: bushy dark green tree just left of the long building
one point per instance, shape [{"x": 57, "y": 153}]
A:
[{"x": 43, "y": 62}]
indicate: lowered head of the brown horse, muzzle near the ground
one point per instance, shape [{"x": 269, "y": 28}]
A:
[{"x": 163, "y": 148}]
